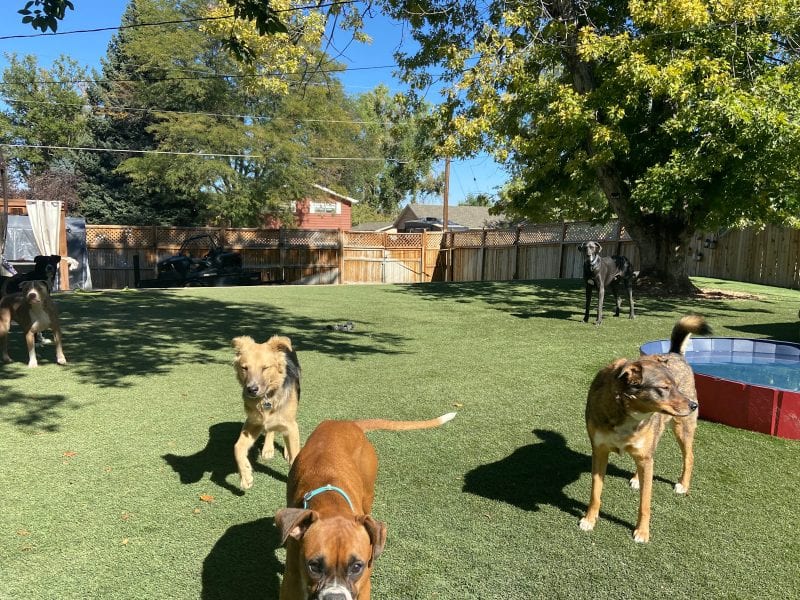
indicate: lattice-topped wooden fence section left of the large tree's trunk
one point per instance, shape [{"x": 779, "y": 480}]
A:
[{"x": 328, "y": 256}]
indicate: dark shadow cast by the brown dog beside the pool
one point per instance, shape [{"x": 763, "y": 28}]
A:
[{"x": 537, "y": 474}]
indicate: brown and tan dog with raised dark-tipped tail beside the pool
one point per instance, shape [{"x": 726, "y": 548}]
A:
[{"x": 628, "y": 407}]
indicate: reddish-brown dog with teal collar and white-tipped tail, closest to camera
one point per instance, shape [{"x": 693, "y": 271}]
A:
[{"x": 331, "y": 538}]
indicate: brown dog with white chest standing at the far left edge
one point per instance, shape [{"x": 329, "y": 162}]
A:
[{"x": 35, "y": 311}]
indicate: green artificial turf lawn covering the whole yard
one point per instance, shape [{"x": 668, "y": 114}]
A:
[{"x": 117, "y": 477}]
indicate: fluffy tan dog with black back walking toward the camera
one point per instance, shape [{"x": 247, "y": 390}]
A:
[{"x": 269, "y": 374}]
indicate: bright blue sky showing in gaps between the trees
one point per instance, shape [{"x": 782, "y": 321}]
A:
[{"x": 478, "y": 175}]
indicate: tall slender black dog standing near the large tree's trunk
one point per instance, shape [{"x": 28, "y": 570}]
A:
[{"x": 600, "y": 272}]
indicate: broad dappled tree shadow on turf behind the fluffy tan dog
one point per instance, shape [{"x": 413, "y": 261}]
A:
[{"x": 110, "y": 337}]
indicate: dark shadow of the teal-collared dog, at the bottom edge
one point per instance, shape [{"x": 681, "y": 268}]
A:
[{"x": 242, "y": 565}]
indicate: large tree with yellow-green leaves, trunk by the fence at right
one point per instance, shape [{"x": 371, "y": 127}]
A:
[{"x": 683, "y": 114}]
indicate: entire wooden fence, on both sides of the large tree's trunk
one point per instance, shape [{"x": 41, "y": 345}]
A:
[{"x": 547, "y": 251}]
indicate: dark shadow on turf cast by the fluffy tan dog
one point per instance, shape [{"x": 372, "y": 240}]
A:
[{"x": 217, "y": 458}]
